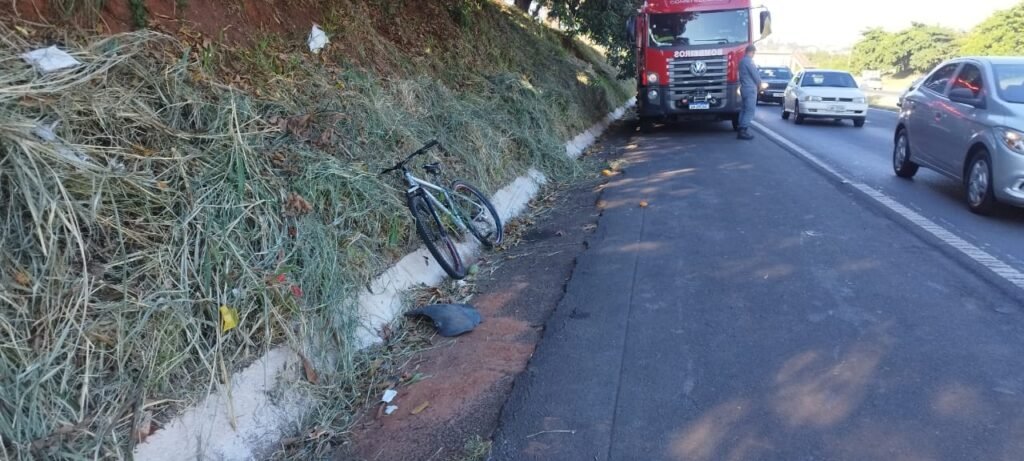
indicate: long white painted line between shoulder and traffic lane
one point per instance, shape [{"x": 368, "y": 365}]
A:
[{"x": 980, "y": 257}]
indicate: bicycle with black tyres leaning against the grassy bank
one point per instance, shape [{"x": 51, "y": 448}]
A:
[{"x": 467, "y": 211}]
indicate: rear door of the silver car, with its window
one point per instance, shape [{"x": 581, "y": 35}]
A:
[{"x": 923, "y": 106}]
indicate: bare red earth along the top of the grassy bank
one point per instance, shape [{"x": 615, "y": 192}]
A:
[{"x": 245, "y": 22}]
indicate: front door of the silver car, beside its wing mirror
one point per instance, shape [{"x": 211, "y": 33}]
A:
[{"x": 957, "y": 123}]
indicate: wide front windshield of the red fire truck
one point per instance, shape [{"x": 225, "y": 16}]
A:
[{"x": 700, "y": 28}]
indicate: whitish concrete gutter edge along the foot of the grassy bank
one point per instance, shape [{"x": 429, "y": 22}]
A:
[{"x": 263, "y": 416}]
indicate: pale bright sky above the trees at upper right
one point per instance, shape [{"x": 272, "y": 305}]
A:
[{"x": 834, "y": 24}]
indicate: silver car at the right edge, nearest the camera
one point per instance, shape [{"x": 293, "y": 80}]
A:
[{"x": 966, "y": 120}]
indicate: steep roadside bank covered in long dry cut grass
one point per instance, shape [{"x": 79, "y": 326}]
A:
[{"x": 212, "y": 164}]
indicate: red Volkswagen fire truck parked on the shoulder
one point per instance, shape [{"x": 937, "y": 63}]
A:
[{"x": 688, "y": 58}]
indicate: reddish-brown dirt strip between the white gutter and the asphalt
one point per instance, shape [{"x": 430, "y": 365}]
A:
[{"x": 471, "y": 381}]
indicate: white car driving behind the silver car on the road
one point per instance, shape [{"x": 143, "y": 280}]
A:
[{"x": 825, "y": 95}]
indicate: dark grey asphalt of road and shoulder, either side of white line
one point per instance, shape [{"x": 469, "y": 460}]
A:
[{"x": 758, "y": 310}]
